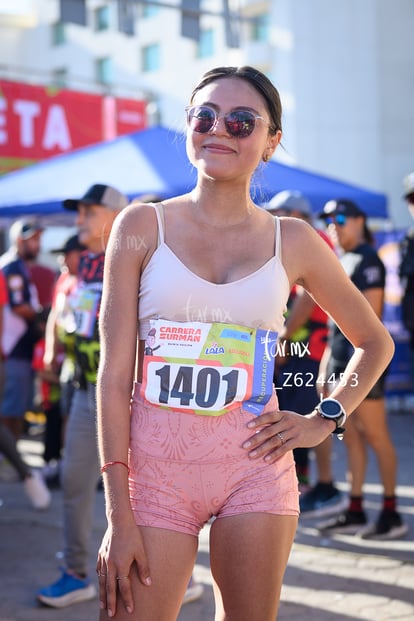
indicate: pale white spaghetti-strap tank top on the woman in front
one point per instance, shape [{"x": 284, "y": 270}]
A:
[{"x": 169, "y": 290}]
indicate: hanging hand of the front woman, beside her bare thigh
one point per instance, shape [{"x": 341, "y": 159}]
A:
[{"x": 121, "y": 547}]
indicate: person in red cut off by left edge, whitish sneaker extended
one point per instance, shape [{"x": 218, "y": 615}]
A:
[{"x": 34, "y": 485}]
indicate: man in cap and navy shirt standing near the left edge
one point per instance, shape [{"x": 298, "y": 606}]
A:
[{"x": 20, "y": 322}]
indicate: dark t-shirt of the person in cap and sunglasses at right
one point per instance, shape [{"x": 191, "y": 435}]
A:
[{"x": 367, "y": 271}]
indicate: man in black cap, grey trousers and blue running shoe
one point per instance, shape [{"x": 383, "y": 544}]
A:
[{"x": 96, "y": 212}]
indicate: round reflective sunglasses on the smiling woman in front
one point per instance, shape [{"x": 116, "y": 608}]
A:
[{"x": 239, "y": 123}]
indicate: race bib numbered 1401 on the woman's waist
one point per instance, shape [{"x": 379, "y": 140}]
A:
[{"x": 208, "y": 368}]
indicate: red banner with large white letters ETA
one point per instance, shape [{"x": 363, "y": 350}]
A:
[{"x": 37, "y": 122}]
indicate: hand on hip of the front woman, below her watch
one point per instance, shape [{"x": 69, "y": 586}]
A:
[{"x": 277, "y": 432}]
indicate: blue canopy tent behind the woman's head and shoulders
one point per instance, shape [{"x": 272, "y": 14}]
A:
[{"x": 153, "y": 161}]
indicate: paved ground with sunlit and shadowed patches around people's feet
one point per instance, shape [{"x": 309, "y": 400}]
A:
[{"x": 339, "y": 579}]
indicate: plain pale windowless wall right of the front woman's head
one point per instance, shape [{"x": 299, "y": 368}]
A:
[{"x": 348, "y": 85}]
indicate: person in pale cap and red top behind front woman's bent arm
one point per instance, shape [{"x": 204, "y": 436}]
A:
[{"x": 297, "y": 373}]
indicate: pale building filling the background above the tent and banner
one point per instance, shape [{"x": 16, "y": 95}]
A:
[{"x": 344, "y": 68}]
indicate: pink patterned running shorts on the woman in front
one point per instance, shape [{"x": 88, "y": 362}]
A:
[{"x": 186, "y": 468}]
